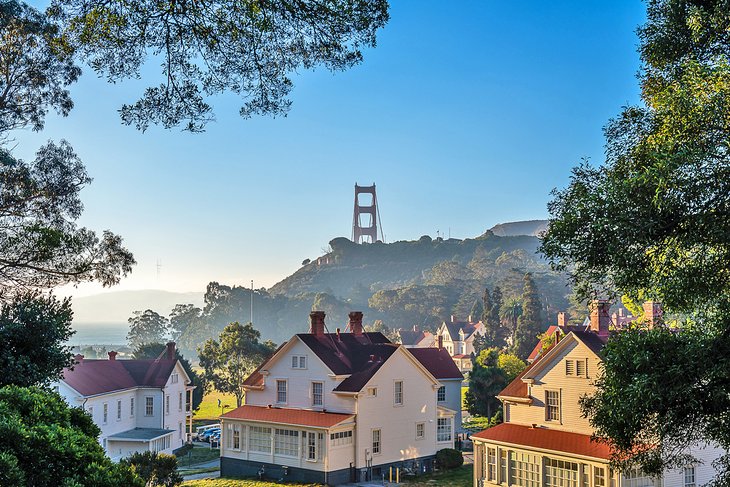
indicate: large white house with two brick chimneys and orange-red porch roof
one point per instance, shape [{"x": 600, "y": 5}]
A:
[{"x": 339, "y": 407}]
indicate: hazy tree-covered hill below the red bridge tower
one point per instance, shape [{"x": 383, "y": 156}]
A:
[{"x": 400, "y": 284}]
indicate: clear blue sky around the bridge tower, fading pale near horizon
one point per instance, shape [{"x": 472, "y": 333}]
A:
[{"x": 465, "y": 115}]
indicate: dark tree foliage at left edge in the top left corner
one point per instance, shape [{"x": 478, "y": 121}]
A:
[{"x": 35, "y": 68}]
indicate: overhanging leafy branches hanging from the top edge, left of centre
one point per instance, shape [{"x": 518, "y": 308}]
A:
[{"x": 207, "y": 48}]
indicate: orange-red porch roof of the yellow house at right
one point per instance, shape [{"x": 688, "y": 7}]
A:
[{"x": 546, "y": 439}]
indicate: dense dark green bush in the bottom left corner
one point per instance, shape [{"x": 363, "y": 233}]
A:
[{"x": 48, "y": 444}]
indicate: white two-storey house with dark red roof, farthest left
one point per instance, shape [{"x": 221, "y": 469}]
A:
[{"x": 139, "y": 405}]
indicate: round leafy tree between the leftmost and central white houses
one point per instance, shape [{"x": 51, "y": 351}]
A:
[{"x": 228, "y": 361}]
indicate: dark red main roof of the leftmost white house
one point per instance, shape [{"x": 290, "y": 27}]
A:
[{"x": 93, "y": 377}]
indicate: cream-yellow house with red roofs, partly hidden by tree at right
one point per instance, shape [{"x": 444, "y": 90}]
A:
[{"x": 544, "y": 440}]
